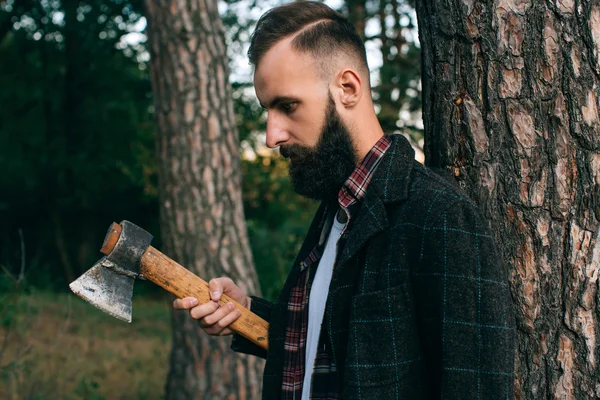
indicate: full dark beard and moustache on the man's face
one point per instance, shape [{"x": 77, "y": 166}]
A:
[{"x": 320, "y": 172}]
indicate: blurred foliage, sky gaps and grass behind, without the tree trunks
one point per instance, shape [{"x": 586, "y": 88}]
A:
[{"x": 77, "y": 151}]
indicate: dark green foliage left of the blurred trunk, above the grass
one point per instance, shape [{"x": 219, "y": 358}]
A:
[{"x": 76, "y": 133}]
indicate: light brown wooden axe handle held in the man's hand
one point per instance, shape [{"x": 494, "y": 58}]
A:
[{"x": 174, "y": 278}]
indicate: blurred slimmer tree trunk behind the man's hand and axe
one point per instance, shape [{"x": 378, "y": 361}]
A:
[{"x": 202, "y": 219}]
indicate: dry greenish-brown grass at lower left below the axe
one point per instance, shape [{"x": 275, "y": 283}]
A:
[{"x": 56, "y": 346}]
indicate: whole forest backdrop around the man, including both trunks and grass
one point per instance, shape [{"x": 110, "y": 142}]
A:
[{"x": 94, "y": 130}]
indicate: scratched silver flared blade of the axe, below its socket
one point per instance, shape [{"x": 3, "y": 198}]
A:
[{"x": 106, "y": 290}]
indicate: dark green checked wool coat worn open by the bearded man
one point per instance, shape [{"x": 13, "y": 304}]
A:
[{"x": 419, "y": 305}]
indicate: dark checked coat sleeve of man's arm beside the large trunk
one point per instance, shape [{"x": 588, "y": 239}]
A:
[{"x": 464, "y": 308}]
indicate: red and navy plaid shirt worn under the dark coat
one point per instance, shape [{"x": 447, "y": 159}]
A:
[{"x": 324, "y": 379}]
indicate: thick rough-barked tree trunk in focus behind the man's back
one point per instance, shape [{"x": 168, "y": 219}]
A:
[{"x": 510, "y": 92}]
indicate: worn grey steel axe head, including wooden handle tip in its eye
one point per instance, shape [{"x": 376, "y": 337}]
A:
[{"x": 108, "y": 285}]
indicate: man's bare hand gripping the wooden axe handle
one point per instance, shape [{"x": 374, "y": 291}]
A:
[{"x": 213, "y": 318}]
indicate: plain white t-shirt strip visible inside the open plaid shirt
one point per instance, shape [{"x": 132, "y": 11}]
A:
[{"x": 317, "y": 300}]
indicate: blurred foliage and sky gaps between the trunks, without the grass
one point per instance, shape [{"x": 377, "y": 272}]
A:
[{"x": 77, "y": 131}]
